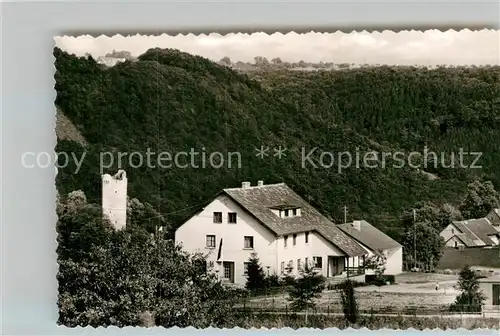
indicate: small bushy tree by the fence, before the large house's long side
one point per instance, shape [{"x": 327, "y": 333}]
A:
[{"x": 305, "y": 289}]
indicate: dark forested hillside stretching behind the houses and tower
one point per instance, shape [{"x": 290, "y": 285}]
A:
[{"x": 172, "y": 101}]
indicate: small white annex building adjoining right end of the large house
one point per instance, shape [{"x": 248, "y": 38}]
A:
[{"x": 374, "y": 242}]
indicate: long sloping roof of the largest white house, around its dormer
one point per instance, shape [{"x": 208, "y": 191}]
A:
[{"x": 259, "y": 201}]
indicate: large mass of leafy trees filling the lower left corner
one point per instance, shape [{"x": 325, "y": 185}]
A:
[{"x": 118, "y": 277}]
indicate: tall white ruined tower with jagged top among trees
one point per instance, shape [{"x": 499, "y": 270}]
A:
[{"x": 114, "y": 198}]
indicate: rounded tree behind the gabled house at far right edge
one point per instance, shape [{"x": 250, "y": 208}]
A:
[{"x": 481, "y": 198}]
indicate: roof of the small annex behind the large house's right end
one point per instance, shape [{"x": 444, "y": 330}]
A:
[{"x": 369, "y": 236}]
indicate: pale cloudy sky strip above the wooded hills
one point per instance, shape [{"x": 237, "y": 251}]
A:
[{"x": 431, "y": 47}]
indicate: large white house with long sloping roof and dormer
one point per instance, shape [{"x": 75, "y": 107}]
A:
[{"x": 274, "y": 222}]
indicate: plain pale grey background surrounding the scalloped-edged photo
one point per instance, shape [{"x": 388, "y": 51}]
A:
[{"x": 28, "y": 291}]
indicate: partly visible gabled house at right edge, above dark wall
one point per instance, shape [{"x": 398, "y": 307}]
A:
[{"x": 471, "y": 233}]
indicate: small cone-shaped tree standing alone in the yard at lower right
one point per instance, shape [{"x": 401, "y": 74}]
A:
[{"x": 471, "y": 297}]
